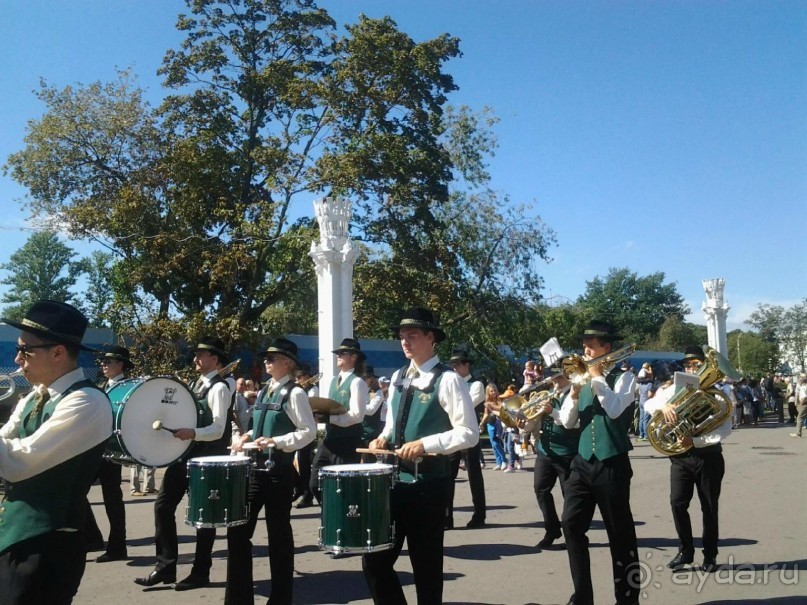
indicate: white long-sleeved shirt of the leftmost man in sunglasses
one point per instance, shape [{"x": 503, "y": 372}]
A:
[{"x": 80, "y": 421}]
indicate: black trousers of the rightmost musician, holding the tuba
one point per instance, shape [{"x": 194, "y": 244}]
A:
[{"x": 700, "y": 469}]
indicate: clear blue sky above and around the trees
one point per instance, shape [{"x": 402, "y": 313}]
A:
[{"x": 659, "y": 136}]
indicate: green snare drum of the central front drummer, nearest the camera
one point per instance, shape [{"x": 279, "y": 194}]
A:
[{"x": 355, "y": 508}]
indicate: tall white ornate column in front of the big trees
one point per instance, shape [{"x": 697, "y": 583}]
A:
[{"x": 333, "y": 258}]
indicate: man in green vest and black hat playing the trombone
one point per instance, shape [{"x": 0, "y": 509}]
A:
[{"x": 600, "y": 472}]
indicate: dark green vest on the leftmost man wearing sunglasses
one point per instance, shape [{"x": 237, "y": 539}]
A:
[{"x": 55, "y": 498}]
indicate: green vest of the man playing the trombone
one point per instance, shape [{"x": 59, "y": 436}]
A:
[{"x": 600, "y": 435}]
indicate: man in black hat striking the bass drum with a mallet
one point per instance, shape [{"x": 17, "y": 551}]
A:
[{"x": 215, "y": 400}]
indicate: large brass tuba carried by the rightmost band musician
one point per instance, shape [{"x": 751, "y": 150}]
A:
[{"x": 698, "y": 410}]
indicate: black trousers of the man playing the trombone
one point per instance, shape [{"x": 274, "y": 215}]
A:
[{"x": 606, "y": 485}]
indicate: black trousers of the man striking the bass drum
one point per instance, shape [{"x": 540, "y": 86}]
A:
[{"x": 172, "y": 490}]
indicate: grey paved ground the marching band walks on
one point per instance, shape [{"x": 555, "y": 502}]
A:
[{"x": 763, "y": 545}]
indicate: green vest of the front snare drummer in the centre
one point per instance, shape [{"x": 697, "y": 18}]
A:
[{"x": 426, "y": 417}]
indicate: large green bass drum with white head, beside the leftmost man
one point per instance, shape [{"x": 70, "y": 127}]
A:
[{"x": 136, "y": 404}]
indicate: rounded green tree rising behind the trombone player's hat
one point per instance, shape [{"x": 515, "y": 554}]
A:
[{"x": 637, "y": 306}]
